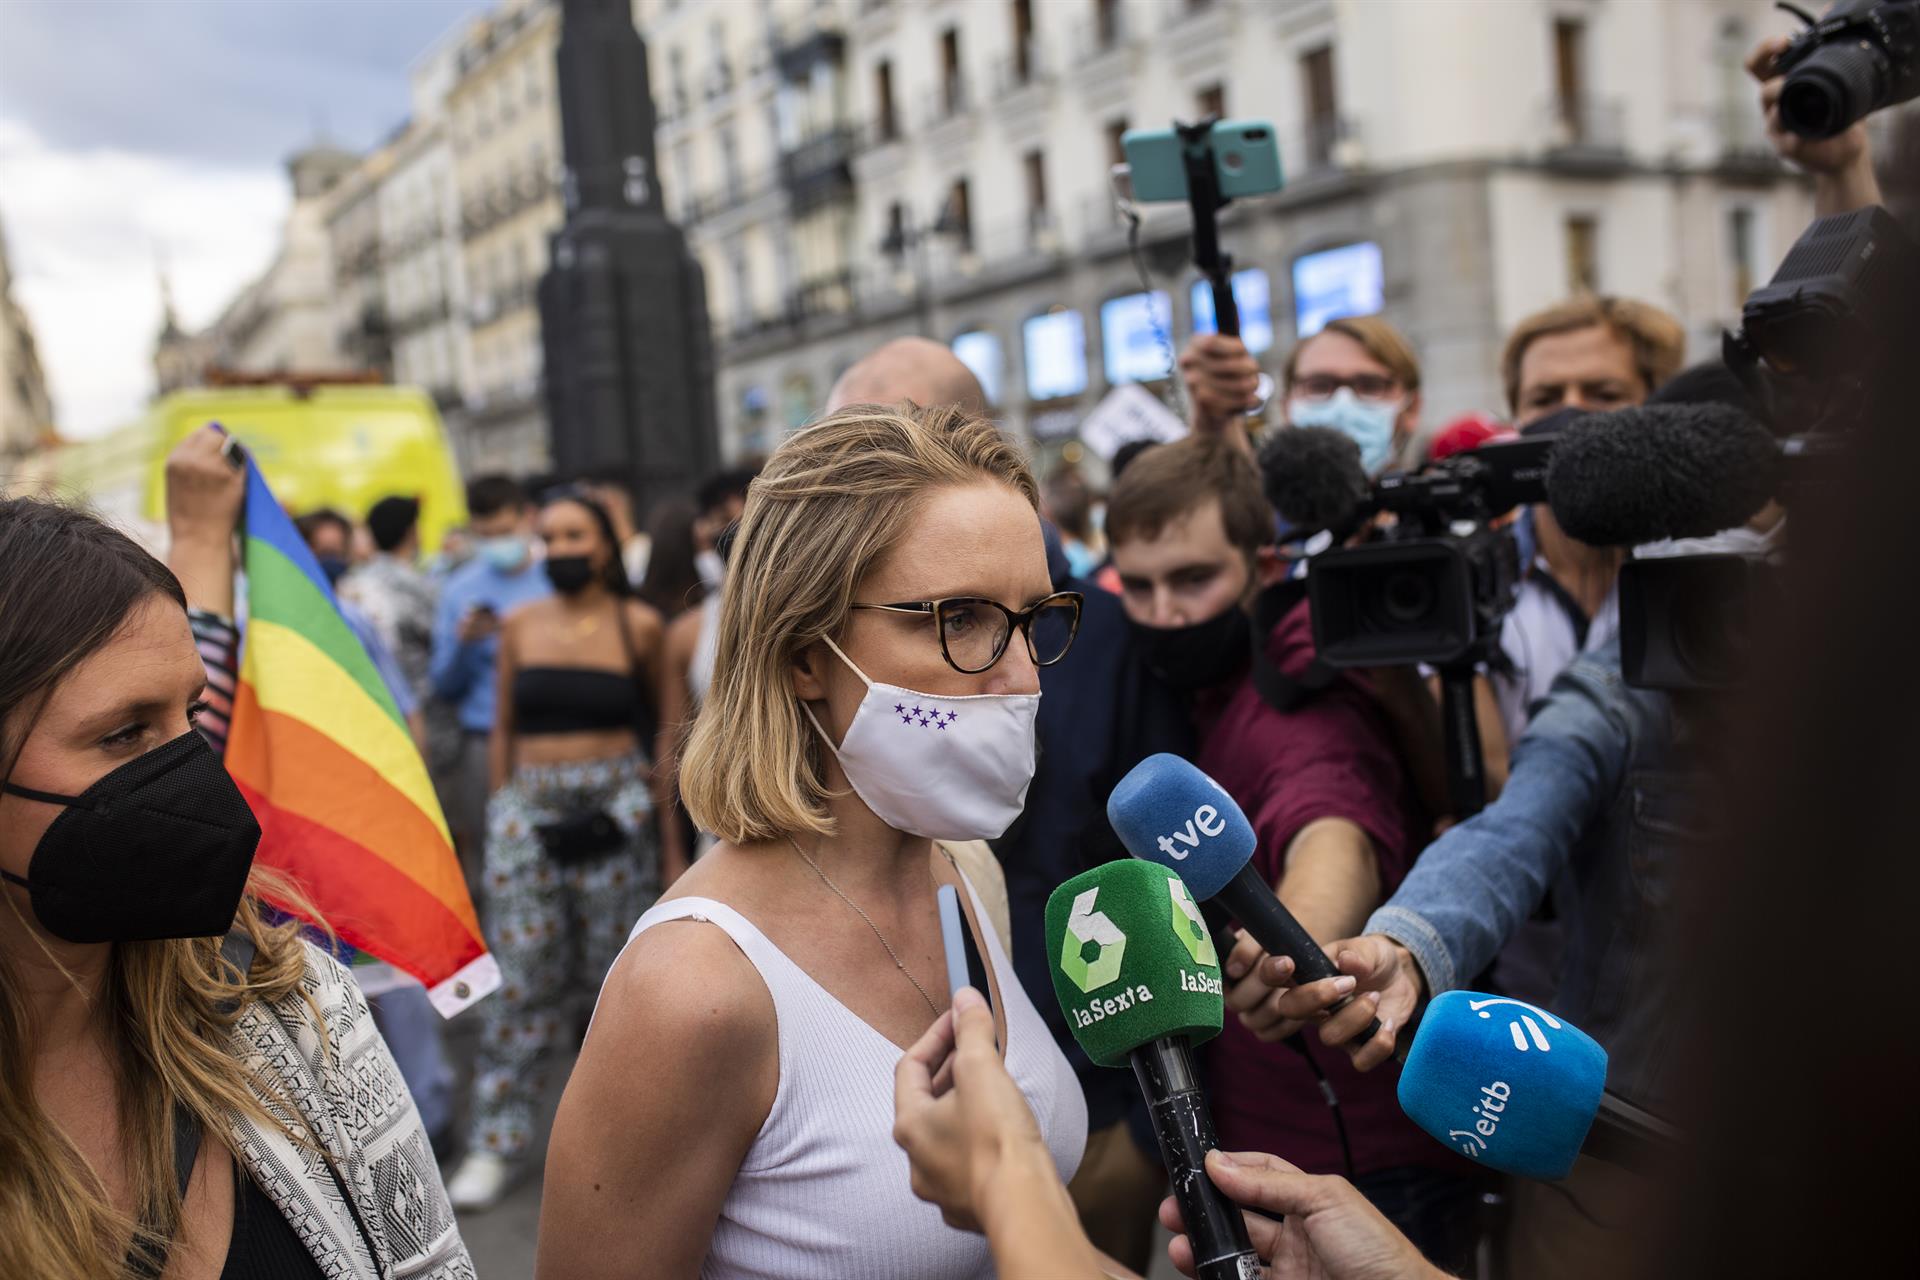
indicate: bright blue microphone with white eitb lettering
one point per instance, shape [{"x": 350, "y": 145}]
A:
[{"x": 1518, "y": 1089}]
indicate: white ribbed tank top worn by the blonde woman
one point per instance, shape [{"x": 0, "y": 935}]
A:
[{"x": 825, "y": 1189}]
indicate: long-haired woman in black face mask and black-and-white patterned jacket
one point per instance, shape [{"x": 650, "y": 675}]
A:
[{"x": 187, "y": 1091}]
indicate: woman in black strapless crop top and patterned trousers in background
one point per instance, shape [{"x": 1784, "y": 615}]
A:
[{"x": 571, "y": 851}]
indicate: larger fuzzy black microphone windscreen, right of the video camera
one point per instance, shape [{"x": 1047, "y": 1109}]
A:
[{"x": 1660, "y": 471}]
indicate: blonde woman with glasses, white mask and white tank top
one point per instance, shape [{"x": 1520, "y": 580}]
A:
[{"x": 886, "y": 613}]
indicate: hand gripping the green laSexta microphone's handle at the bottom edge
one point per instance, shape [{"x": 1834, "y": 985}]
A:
[{"x": 1330, "y": 1231}]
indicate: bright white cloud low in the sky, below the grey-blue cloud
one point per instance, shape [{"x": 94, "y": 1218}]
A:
[{"x": 85, "y": 233}]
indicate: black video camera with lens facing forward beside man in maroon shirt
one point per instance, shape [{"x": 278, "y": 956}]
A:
[{"x": 1439, "y": 581}]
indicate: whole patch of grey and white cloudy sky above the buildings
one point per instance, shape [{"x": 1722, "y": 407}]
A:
[{"x": 135, "y": 131}]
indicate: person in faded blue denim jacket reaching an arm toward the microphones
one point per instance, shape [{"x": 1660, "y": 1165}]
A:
[{"x": 1602, "y": 788}]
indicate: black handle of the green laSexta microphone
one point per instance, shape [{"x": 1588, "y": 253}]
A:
[{"x": 1186, "y": 1129}]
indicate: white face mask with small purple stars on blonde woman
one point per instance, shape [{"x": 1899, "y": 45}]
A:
[{"x": 949, "y": 769}]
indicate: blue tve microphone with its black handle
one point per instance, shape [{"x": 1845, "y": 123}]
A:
[{"x": 1170, "y": 813}]
